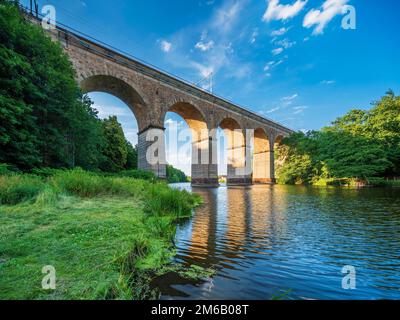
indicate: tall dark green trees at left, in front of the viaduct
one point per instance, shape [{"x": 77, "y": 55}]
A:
[{"x": 44, "y": 121}]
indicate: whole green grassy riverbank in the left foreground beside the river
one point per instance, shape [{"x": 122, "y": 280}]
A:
[{"x": 104, "y": 236}]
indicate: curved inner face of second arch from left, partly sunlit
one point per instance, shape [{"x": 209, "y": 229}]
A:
[{"x": 201, "y": 162}]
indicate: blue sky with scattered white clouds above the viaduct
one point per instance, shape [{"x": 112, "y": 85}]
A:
[{"x": 288, "y": 60}]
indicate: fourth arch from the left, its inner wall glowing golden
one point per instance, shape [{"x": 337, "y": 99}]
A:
[{"x": 261, "y": 156}]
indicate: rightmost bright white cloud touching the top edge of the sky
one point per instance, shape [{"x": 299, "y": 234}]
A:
[{"x": 320, "y": 18}]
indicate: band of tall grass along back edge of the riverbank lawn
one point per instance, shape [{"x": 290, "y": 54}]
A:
[{"x": 160, "y": 199}]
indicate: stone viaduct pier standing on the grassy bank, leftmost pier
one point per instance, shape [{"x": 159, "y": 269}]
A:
[{"x": 151, "y": 151}]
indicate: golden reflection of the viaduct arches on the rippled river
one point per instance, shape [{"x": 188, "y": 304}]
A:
[{"x": 233, "y": 223}]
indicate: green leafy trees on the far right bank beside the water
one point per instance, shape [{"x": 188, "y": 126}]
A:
[{"x": 362, "y": 145}]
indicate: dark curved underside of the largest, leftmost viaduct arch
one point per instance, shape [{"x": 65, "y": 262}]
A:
[{"x": 120, "y": 89}]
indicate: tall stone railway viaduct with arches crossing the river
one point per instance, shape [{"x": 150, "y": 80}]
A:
[{"x": 150, "y": 94}]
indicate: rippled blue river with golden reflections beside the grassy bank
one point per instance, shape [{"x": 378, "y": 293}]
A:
[{"x": 290, "y": 241}]
